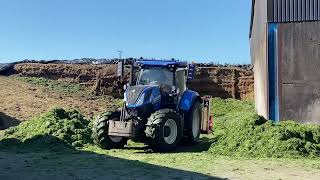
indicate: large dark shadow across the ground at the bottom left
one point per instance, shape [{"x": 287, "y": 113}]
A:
[{"x": 47, "y": 157}]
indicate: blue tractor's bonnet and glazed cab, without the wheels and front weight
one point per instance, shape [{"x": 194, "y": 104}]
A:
[{"x": 159, "y": 85}]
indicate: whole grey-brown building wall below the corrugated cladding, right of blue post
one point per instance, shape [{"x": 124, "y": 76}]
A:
[{"x": 299, "y": 71}]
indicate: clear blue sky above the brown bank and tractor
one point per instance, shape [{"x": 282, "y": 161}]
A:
[{"x": 203, "y": 30}]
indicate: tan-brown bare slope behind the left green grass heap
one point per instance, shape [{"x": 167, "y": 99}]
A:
[{"x": 20, "y": 101}]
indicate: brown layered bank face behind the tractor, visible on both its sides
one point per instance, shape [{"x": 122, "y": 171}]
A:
[{"x": 224, "y": 82}]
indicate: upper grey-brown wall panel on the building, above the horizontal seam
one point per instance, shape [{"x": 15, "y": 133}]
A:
[{"x": 299, "y": 45}]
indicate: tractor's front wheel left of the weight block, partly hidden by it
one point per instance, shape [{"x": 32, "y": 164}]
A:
[{"x": 100, "y": 132}]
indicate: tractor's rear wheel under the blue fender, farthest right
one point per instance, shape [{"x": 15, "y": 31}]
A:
[{"x": 193, "y": 120}]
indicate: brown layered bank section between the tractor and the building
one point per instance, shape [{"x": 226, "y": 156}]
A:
[{"x": 224, "y": 82}]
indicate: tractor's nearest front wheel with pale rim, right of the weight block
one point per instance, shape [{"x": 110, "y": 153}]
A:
[{"x": 164, "y": 130}]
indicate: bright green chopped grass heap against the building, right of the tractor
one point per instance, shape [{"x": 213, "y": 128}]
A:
[{"x": 240, "y": 132}]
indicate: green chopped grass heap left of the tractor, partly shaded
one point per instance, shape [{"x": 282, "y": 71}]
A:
[{"x": 55, "y": 130}]
